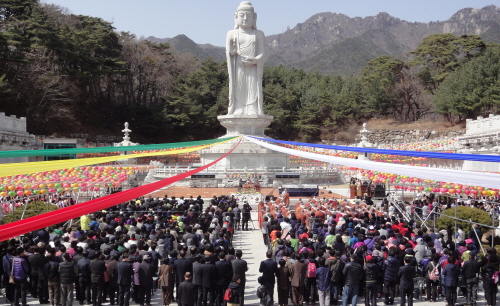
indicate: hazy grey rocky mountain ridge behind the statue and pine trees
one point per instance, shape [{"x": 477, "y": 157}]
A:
[{"x": 335, "y": 43}]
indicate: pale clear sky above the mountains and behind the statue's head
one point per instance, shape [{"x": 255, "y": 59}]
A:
[{"x": 207, "y": 21}]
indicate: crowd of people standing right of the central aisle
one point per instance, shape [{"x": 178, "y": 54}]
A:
[{"x": 358, "y": 250}]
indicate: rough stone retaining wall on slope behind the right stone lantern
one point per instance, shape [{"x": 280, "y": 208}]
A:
[{"x": 405, "y": 136}]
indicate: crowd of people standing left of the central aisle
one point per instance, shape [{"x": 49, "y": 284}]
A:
[{"x": 180, "y": 246}]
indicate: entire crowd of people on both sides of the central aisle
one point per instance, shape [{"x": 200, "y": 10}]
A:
[{"x": 336, "y": 253}]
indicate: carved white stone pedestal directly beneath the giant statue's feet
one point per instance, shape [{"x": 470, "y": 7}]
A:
[{"x": 253, "y": 125}]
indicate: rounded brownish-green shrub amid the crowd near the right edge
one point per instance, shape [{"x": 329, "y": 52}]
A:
[{"x": 465, "y": 213}]
